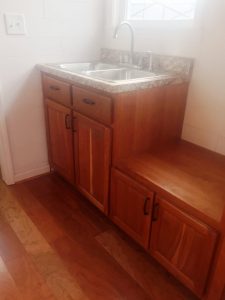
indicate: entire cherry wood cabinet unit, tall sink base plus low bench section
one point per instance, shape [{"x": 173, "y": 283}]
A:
[{"x": 81, "y": 126}]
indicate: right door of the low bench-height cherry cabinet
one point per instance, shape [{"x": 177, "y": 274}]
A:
[{"x": 183, "y": 245}]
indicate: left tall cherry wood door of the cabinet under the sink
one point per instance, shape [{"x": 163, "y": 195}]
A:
[{"x": 60, "y": 138}]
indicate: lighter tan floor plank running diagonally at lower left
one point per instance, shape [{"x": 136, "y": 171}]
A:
[{"x": 47, "y": 262}]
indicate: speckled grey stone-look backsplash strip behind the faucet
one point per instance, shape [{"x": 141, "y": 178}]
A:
[{"x": 178, "y": 65}]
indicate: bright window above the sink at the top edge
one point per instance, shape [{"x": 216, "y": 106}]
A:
[{"x": 160, "y": 10}]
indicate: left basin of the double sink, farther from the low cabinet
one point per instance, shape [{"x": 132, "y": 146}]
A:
[{"x": 84, "y": 67}]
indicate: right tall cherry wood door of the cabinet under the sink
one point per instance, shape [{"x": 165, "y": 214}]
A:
[{"x": 93, "y": 159}]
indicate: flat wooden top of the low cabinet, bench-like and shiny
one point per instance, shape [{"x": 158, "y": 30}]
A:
[{"x": 189, "y": 176}]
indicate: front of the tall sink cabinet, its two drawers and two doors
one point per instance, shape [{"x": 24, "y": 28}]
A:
[{"x": 78, "y": 145}]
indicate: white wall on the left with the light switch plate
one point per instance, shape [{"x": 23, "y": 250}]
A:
[{"x": 58, "y": 31}]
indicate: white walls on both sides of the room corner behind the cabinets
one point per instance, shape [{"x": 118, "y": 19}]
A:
[{"x": 69, "y": 30}]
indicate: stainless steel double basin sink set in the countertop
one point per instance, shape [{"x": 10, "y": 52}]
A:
[{"x": 108, "y": 72}]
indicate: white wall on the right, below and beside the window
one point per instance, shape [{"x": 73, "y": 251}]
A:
[{"x": 205, "y": 41}]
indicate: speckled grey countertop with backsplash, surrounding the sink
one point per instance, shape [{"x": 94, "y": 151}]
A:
[{"x": 172, "y": 70}]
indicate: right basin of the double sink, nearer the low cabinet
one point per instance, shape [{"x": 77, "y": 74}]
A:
[{"x": 120, "y": 74}]
